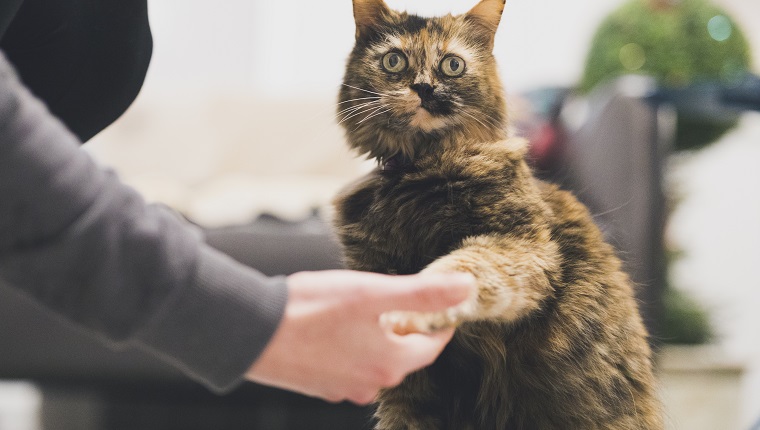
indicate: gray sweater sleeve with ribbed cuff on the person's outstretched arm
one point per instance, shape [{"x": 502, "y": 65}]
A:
[{"x": 87, "y": 247}]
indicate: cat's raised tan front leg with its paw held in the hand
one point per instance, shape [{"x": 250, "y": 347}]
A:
[{"x": 513, "y": 277}]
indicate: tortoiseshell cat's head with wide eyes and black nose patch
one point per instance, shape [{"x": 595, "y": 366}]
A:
[{"x": 413, "y": 82}]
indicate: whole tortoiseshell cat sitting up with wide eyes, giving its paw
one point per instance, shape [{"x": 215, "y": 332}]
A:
[{"x": 553, "y": 339}]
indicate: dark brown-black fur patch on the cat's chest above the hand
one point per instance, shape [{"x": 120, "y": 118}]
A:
[{"x": 398, "y": 222}]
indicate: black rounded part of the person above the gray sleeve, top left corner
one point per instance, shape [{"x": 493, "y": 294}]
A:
[{"x": 86, "y": 59}]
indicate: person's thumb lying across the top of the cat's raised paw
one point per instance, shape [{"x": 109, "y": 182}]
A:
[{"x": 427, "y": 292}]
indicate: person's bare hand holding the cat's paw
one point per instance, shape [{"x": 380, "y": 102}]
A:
[{"x": 331, "y": 345}]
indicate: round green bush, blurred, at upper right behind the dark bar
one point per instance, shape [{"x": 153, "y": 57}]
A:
[{"x": 679, "y": 43}]
